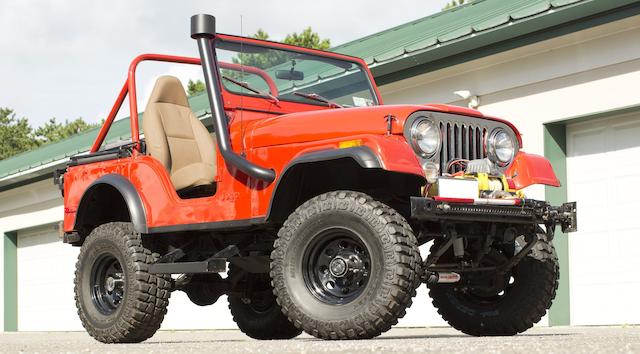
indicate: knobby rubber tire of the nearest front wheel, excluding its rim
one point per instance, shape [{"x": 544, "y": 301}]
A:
[{"x": 390, "y": 287}]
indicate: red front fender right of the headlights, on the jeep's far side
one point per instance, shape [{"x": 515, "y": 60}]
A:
[{"x": 529, "y": 169}]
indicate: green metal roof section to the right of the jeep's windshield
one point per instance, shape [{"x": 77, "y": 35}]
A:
[{"x": 480, "y": 23}]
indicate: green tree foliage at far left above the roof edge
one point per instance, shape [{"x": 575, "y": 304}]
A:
[{"x": 17, "y": 135}]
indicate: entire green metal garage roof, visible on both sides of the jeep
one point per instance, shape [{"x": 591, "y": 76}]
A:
[{"x": 434, "y": 41}]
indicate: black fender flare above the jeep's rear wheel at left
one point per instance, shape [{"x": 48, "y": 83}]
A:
[{"x": 129, "y": 194}]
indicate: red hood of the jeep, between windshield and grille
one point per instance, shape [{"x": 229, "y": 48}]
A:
[{"x": 341, "y": 122}]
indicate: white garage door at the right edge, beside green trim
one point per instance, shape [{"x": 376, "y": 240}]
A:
[{"x": 603, "y": 166}]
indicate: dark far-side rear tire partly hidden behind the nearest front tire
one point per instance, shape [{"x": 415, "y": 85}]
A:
[{"x": 264, "y": 320}]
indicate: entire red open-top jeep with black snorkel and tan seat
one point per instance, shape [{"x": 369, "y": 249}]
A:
[{"x": 313, "y": 197}]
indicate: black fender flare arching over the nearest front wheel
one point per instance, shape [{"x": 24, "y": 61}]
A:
[{"x": 364, "y": 156}]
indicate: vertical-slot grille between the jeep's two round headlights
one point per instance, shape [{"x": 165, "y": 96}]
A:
[{"x": 461, "y": 141}]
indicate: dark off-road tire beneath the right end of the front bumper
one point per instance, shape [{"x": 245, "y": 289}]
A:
[{"x": 536, "y": 281}]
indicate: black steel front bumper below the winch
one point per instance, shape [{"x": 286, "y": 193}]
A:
[{"x": 529, "y": 211}]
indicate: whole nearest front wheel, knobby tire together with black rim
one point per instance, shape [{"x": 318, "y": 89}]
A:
[{"x": 345, "y": 266}]
